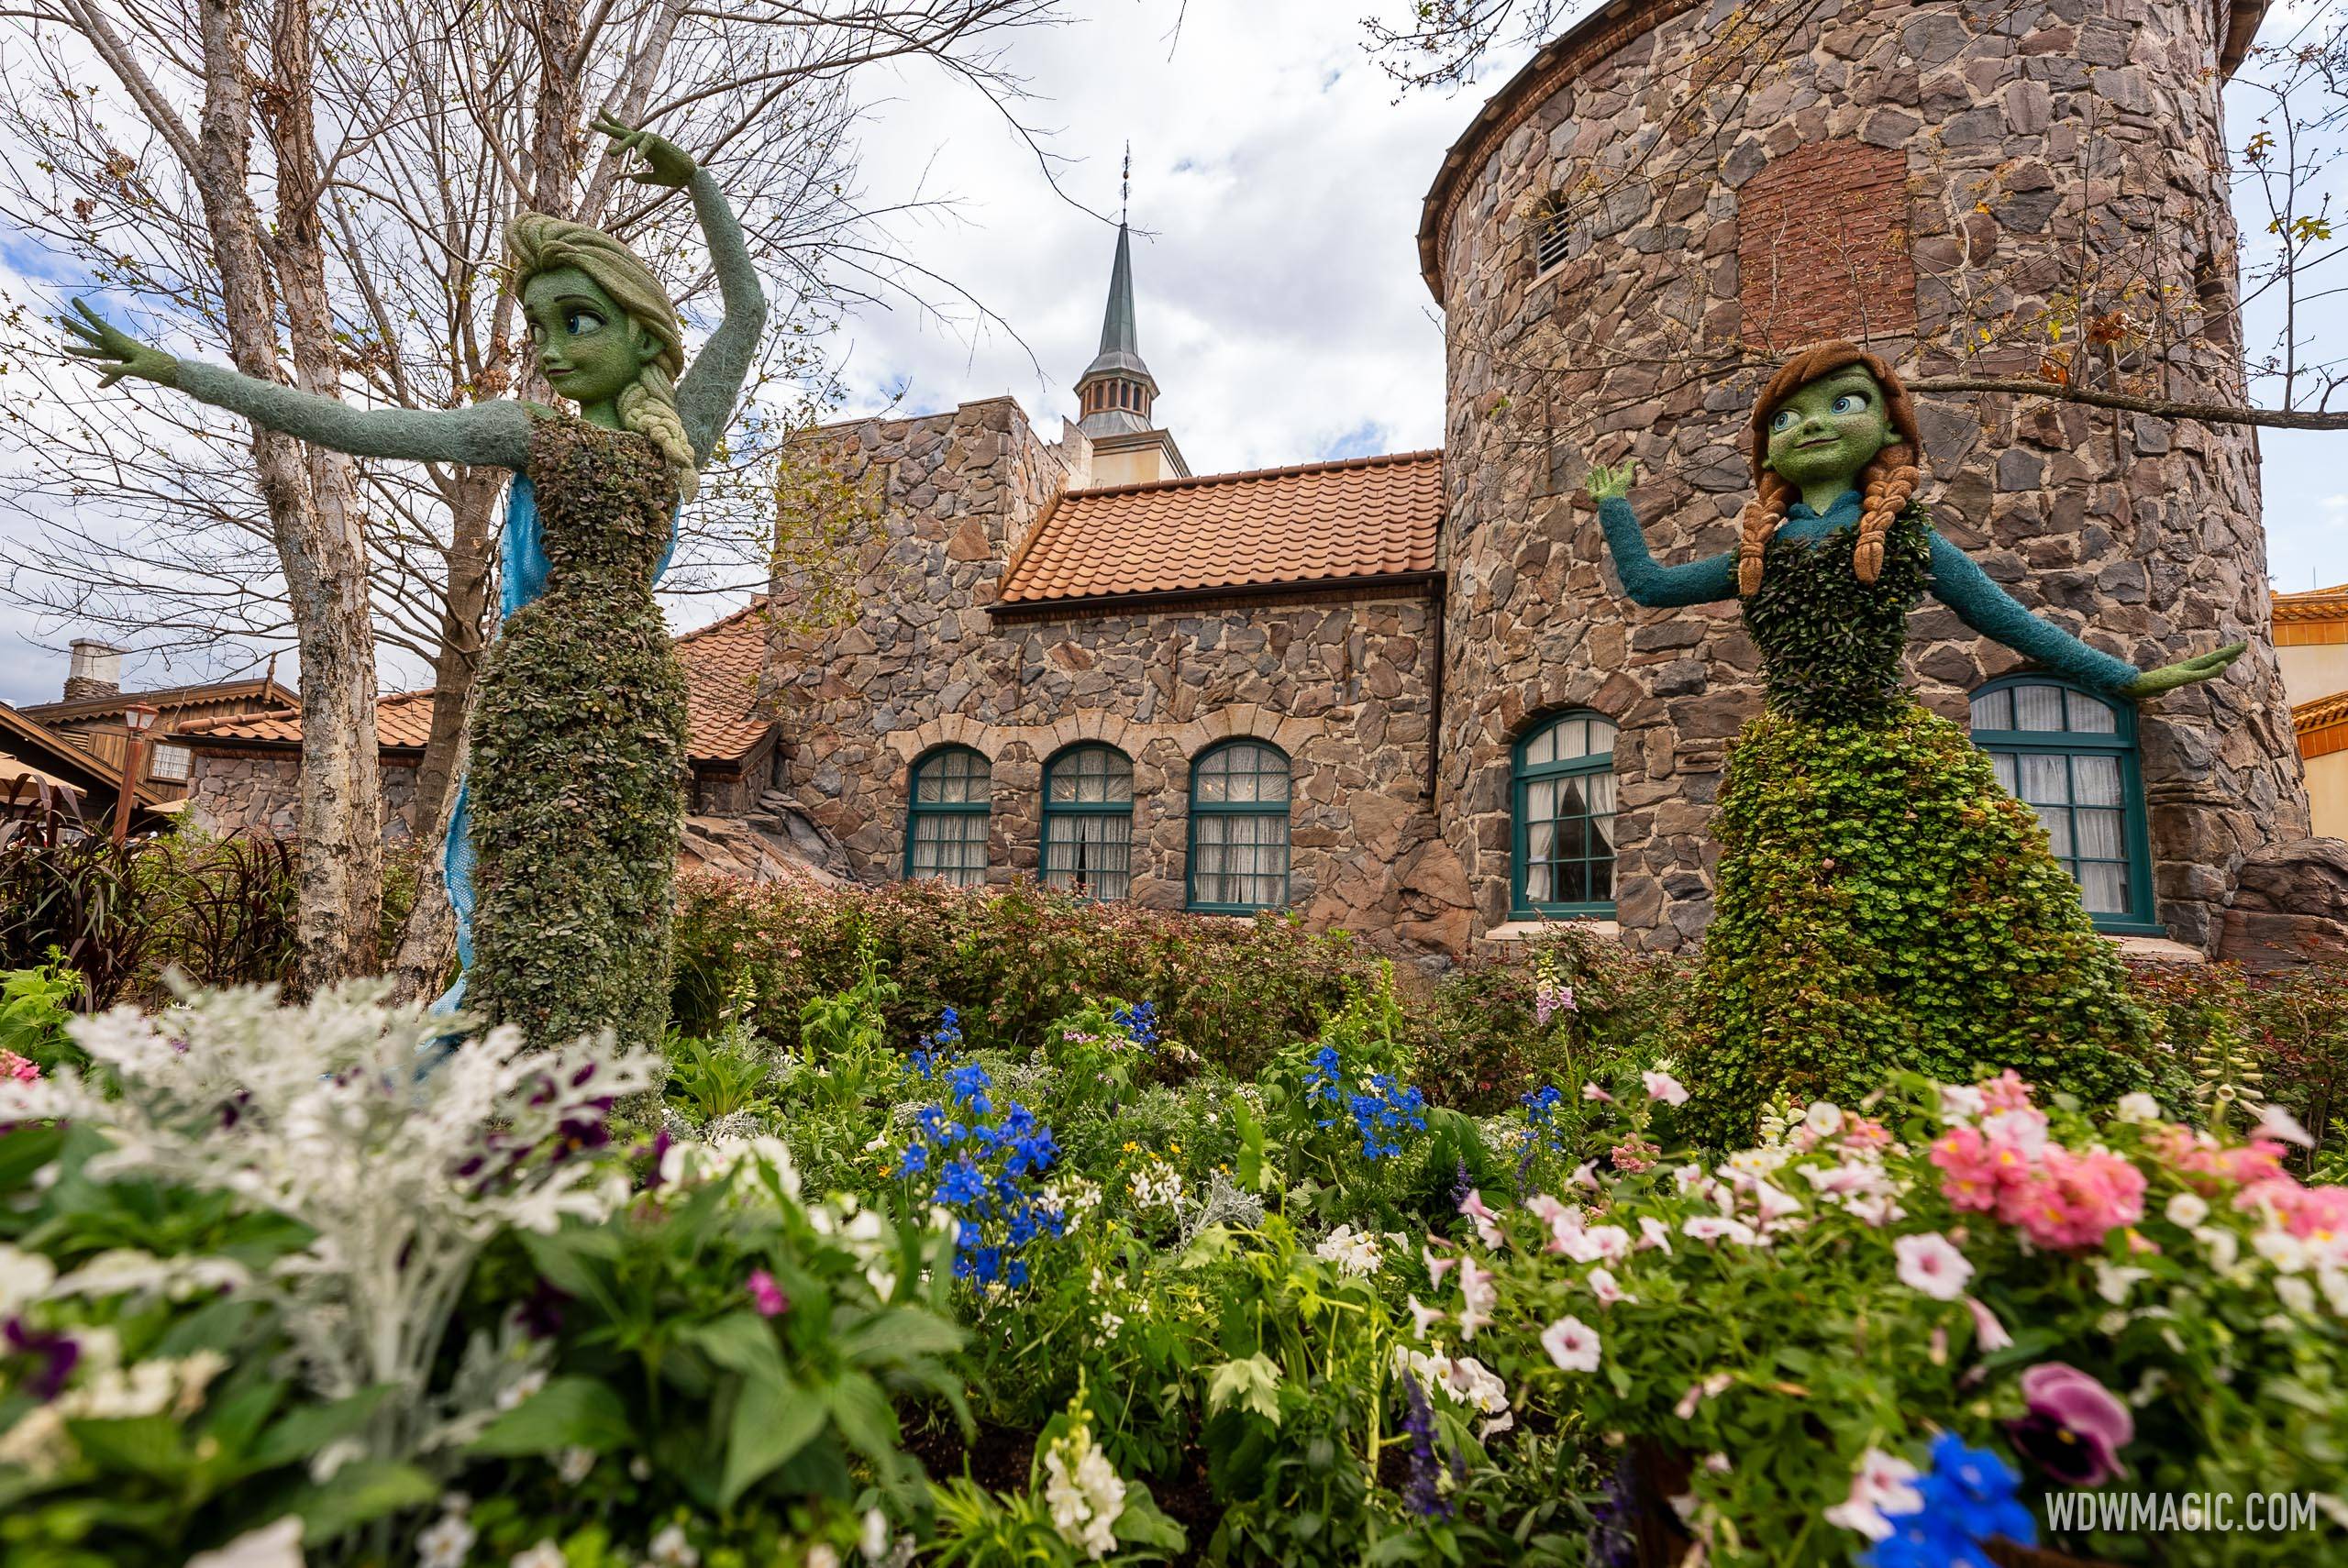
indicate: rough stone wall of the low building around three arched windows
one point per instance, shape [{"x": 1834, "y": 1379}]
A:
[{"x": 1342, "y": 687}]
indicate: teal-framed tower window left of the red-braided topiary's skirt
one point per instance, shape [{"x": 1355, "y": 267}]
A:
[{"x": 1563, "y": 809}]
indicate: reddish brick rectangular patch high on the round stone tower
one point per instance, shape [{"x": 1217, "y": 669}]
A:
[{"x": 1823, "y": 245}]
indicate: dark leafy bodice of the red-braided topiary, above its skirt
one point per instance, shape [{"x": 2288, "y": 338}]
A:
[{"x": 1833, "y": 644}]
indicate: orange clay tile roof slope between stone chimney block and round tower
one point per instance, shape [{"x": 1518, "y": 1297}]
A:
[{"x": 1318, "y": 522}]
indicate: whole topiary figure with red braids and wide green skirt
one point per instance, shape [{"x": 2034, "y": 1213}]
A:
[{"x": 1882, "y": 900}]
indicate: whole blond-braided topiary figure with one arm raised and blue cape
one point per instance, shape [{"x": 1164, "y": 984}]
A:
[{"x": 565, "y": 842}]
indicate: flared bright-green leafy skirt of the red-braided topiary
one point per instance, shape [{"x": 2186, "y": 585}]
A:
[{"x": 1887, "y": 905}]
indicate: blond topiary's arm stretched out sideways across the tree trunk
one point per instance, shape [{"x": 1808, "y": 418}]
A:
[{"x": 485, "y": 433}]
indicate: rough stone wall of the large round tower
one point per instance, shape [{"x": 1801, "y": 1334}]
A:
[{"x": 2138, "y": 534}]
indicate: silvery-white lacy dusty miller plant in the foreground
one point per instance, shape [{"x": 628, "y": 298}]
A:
[{"x": 330, "y": 1116}]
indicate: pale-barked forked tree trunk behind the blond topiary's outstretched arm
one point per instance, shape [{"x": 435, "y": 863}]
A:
[{"x": 339, "y": 879}]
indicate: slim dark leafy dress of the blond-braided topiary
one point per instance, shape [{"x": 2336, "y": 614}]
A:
[{"x": 579, "y": 750}]
